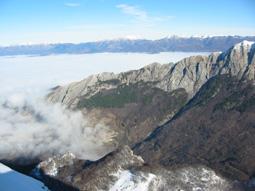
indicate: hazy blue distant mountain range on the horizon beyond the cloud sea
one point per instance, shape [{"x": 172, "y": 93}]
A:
[{"x": 174, "y": 43}]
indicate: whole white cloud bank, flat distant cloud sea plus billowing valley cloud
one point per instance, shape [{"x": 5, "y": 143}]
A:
[{"x": 31, "y": 128}]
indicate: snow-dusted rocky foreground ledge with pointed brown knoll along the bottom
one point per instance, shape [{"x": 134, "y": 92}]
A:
[{"x": 122, "y": 170}]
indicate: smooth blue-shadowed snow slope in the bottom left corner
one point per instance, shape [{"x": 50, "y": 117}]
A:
[{"x": 11, "y": 180}]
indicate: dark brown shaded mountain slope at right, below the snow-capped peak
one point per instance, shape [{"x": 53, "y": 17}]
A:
[{"x": 216, "y": 129}]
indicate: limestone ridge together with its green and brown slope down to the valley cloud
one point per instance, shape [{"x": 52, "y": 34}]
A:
[{"x": 159, "y": 91}]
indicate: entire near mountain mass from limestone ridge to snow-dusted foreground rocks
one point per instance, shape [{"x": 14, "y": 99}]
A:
[{"x": 183, "y": 126}]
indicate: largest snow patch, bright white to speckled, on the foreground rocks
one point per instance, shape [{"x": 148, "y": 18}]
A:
[{"x": 188, "y": 178}]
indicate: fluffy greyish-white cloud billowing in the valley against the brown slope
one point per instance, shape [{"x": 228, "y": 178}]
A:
[{"x": 36, "y": 129}]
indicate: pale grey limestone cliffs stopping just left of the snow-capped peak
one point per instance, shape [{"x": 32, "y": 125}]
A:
[{"x": 190, "y": 74}]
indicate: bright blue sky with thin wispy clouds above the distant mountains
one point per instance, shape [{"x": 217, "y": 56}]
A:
[{"x": 50, "y": 21}]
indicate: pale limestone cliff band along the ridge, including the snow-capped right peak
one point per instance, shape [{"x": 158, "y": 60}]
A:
[{"x": 190, "y": 73}]
